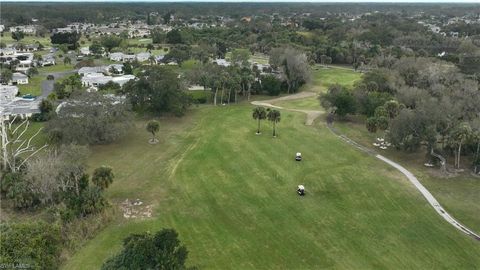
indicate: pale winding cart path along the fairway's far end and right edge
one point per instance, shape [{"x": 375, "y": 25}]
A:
[{"x": 312, "y": 115}]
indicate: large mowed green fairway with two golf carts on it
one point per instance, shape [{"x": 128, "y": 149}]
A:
[{"x": 231, "y": 196}]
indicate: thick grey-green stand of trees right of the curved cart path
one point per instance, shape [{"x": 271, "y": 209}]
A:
[{"x": 418, "y": 103}]
